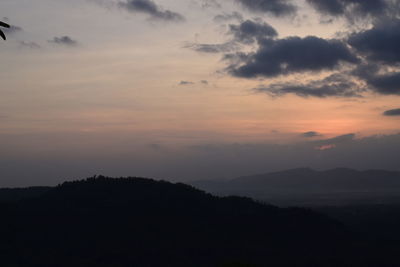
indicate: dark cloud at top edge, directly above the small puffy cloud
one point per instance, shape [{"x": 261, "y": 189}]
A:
[{"x": 275, "y": 7}]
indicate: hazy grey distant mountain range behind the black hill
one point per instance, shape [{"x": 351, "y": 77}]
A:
[{"x": 305, "y": 186}]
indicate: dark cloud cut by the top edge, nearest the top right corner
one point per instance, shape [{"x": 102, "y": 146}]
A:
[{"x": 351, "y": 8}]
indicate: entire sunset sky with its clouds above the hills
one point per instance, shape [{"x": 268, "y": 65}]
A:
[{"x": 196, "y": 89}]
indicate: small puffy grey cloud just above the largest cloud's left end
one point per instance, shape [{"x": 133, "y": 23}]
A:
[{"x": 249, "y": 31}]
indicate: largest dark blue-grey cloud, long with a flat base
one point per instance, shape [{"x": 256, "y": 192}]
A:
[{"x": 292, "y": 54}]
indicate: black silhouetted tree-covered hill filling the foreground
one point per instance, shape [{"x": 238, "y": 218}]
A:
[{"x": 141, "y": 222}]
